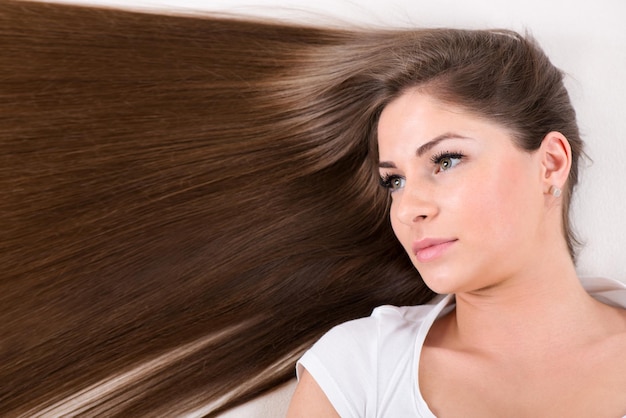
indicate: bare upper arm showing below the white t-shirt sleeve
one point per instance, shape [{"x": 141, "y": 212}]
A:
[{"x": 309, "y": 400}]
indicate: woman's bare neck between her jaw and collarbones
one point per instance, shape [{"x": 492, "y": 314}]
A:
[{"x": 545, "y": 306}]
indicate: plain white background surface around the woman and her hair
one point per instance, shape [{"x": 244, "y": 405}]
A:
[{"x": 585, "y": 39}]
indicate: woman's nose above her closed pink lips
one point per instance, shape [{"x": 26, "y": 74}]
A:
[{"x": 414, "y": 205}]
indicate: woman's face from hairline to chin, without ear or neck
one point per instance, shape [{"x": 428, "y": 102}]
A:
[{"x": 467, "y": 203}]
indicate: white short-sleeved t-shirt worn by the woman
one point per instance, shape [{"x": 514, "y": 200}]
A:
[{"x": 368, "y": 367}]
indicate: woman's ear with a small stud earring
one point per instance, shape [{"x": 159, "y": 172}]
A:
[{"x": 556, "y": 160}]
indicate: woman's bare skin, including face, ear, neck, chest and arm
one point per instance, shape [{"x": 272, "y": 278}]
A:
[{"x": 525, "y": 339}]
